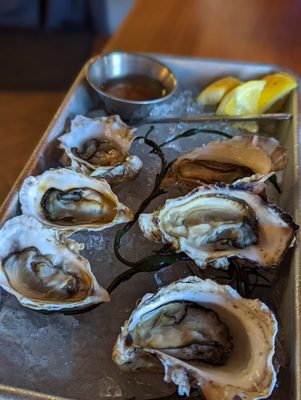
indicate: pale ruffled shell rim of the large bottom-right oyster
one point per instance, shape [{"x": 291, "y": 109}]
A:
[{"x": 180, "y": 372}]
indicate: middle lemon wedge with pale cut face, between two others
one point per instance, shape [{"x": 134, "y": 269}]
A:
[{"x": 242, "y": 100}]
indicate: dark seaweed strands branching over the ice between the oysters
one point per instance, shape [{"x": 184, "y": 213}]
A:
[{"x": 245, "y": 277}]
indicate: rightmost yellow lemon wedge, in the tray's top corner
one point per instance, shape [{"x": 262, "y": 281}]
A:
[{"x": 277, "y": 87}]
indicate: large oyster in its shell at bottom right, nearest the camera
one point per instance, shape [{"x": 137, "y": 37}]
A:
[{"x": 168, "y": 328}]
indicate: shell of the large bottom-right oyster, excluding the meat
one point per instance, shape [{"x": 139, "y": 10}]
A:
[{"x": 247, "y": 374}]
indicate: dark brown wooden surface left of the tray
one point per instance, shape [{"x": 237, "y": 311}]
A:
[{"x": 24, "y": 117}]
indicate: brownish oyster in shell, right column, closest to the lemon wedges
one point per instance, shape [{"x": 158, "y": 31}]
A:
[{"x": 242, "y": 158}]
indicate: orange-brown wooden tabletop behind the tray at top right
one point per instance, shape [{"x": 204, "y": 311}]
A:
[{"x": 266, "y": 31}]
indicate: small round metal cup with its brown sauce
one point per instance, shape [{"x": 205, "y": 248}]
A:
[{"x": 125, "y": 82}]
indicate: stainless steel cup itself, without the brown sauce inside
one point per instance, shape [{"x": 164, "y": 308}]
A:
[{"x": 102, "y": 68}]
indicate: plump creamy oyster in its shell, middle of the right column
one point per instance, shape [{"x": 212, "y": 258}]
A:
[{"x": 214, "y": 223}]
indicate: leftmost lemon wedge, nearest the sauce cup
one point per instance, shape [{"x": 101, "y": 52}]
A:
[{"x": 213, "y": 93}]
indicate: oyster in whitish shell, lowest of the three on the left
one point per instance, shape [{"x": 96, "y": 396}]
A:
[{"x": 43, "y": 270}]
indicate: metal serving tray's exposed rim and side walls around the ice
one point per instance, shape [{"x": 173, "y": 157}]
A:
[{"x": 190, "y": 72}]
